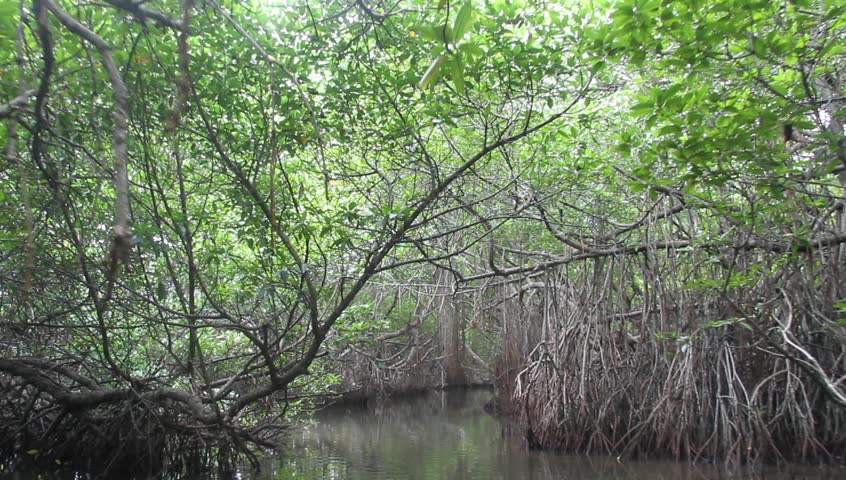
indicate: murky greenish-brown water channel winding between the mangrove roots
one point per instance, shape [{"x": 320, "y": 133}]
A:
[{"x": 448, "y": 436}]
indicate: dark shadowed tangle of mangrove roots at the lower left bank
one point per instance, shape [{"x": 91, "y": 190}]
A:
[{"x": 128, "y": 438}]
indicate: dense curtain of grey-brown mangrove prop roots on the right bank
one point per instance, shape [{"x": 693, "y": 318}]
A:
[{"x": 739, "y": 375}]
